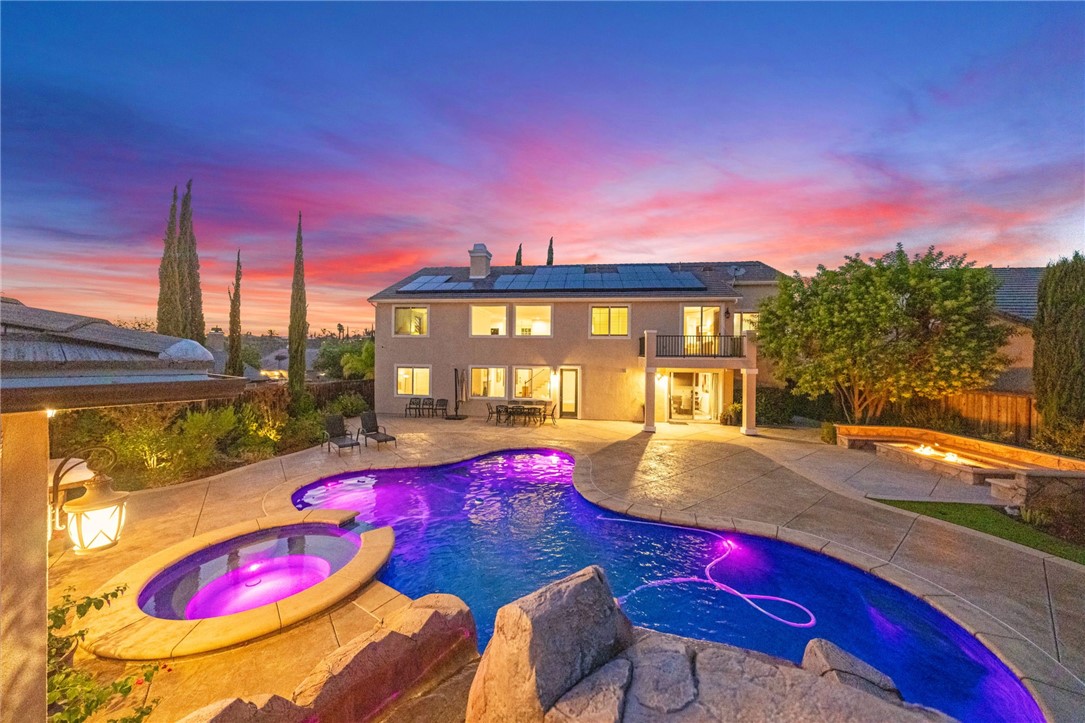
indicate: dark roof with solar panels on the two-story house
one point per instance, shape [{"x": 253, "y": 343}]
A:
[{"x": 718, "y": 280}]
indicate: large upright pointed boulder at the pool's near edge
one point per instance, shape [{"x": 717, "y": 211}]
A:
[{"x": 546, "y": 643}]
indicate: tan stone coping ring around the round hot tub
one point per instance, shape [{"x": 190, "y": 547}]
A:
[{"x": 123, "y": 631}]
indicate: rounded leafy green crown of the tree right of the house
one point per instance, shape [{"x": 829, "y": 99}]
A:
[{"x": 886, "y": 331}]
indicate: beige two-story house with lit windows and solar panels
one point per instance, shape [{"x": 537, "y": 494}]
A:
[{"x": 642, "y": 343}]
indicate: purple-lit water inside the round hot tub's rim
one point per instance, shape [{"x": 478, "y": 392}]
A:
[{"x": 249, "y": 572}]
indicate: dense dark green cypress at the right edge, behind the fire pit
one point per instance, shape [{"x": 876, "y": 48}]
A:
[{"x": 1060, "y": 337}]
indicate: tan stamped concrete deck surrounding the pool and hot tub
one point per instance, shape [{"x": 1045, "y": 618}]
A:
[{"x": 1026, "y": 605}]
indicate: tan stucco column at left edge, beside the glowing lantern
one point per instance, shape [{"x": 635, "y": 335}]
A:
[{"x": 24, "y": 470}]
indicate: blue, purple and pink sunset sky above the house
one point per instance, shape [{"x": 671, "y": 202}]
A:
[{"x": 792, "y": 134}]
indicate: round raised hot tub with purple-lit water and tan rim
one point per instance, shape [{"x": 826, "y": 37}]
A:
[{"x": 236, "y": 585}]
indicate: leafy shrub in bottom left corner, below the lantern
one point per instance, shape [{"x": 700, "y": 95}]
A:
[{"x": 74, "y": 695}]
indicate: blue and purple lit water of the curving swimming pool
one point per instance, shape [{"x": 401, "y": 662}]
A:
[{"x": 495, "y": 528}]
